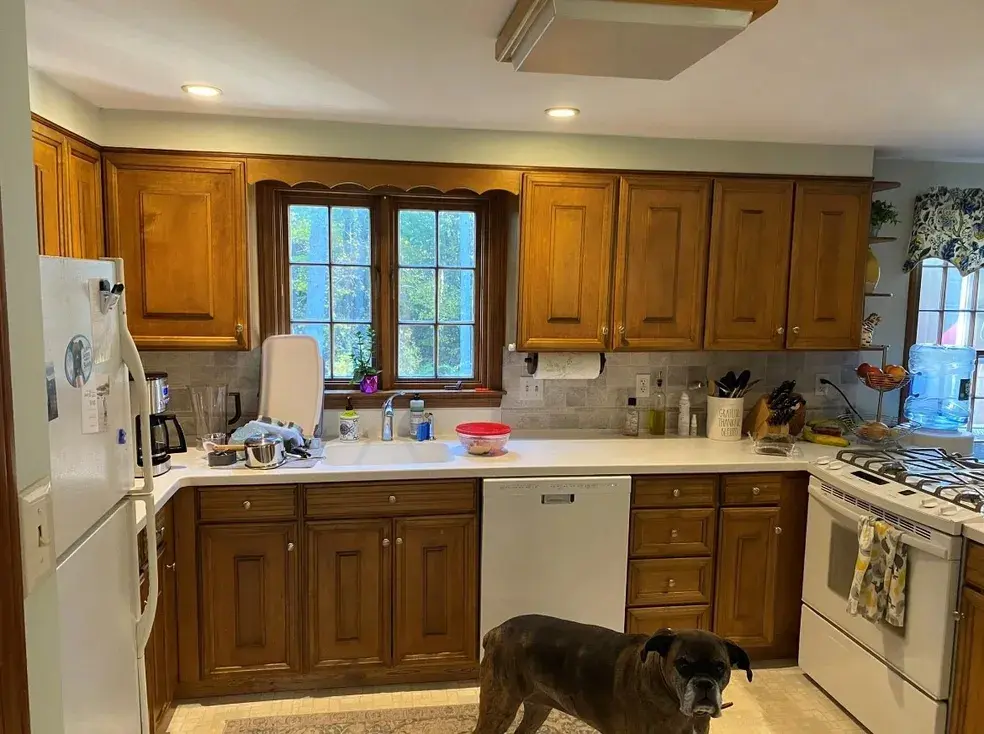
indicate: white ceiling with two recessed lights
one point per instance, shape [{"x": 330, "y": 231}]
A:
[{"x": 897, "y": 74}]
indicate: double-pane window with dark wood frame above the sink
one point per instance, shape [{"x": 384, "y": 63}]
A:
[{"x": 425, "y": 273}]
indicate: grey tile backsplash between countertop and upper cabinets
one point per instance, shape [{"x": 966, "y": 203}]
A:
[{"x": 567, "y": 404}]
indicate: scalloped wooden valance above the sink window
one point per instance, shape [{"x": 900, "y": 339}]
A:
[{"x": 369, "y": 174}]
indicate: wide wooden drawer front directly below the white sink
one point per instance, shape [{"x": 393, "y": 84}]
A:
[{"x": 387, "y": 499}]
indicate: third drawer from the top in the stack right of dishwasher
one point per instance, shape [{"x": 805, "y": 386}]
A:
[{"x": 670, "y": 581}]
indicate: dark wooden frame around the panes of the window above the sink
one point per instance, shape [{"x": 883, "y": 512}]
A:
[{"x": 485, "y": 389}]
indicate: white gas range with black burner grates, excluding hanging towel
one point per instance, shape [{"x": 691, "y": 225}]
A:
[{"x": 894, "y": 681}]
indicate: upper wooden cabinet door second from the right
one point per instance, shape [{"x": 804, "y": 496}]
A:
[{"x": 749, "y": 264}]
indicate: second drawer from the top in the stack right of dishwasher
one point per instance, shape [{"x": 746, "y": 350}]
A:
[{"x": 672, "y": 533}]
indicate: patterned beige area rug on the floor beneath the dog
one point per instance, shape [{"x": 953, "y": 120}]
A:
[{"x": 430, "y": 720}]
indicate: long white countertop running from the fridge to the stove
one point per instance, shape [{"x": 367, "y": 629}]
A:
[{"x": 525, "y": 458}]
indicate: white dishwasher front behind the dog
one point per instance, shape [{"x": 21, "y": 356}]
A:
[{"x": 555, "y": 546}]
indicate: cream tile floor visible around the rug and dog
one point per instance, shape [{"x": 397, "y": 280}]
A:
[{"x": 779, "y": 700}]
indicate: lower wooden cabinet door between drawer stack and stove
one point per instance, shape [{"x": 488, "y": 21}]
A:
[{"x": 744, "y": 609}]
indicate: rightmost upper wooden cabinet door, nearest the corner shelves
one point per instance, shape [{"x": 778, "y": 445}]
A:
[{"x": 826, "y": 279}]
